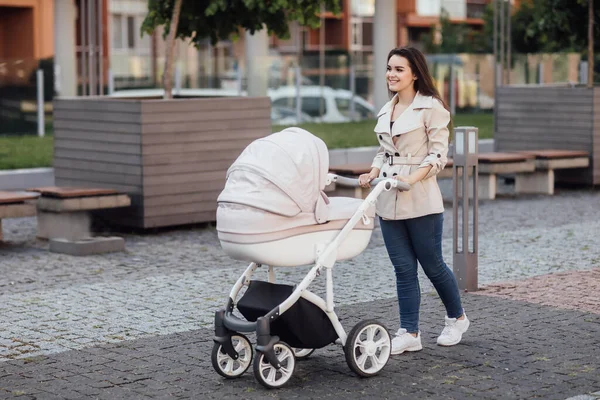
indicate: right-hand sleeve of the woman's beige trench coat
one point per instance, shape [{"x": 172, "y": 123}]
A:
[{"x": 437, "y": 133}]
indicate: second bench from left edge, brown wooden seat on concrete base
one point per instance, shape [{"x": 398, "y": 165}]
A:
[{"x": 64, "y": 217}]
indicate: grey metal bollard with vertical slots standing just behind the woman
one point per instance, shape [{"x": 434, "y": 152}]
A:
[{"x": 465, "y": 260}]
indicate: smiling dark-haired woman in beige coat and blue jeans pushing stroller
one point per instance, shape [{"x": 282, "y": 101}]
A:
[{"x": 412, "y": 130}]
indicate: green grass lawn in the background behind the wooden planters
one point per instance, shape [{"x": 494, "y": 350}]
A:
[{"x": 33, "y": 152}]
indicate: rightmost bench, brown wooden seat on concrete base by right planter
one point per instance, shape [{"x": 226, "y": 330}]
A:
[{"x": 546, "y": 161}]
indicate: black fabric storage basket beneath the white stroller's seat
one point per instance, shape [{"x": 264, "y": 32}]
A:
[{"x": 304, "y": 325}]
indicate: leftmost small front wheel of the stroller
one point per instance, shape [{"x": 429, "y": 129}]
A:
[{"x": 227, "y": 366}]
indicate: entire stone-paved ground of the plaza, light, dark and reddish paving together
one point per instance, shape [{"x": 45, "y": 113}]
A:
[{"x": 146, "y": 315}]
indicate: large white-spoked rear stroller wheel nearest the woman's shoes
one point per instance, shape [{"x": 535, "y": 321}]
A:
[{"x": 368, "y": 348}]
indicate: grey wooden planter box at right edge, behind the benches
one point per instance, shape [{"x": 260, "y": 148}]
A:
[{"x": 566, "y": 118}]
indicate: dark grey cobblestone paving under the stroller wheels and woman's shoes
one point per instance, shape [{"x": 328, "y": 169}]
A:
[{"x": 514, "y": 350}]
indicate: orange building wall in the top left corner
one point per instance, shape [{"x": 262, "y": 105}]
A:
[{"x": 27, "y": 30}]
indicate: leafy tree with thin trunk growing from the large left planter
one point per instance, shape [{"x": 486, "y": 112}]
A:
[{"x": 222, "y": 19}]
